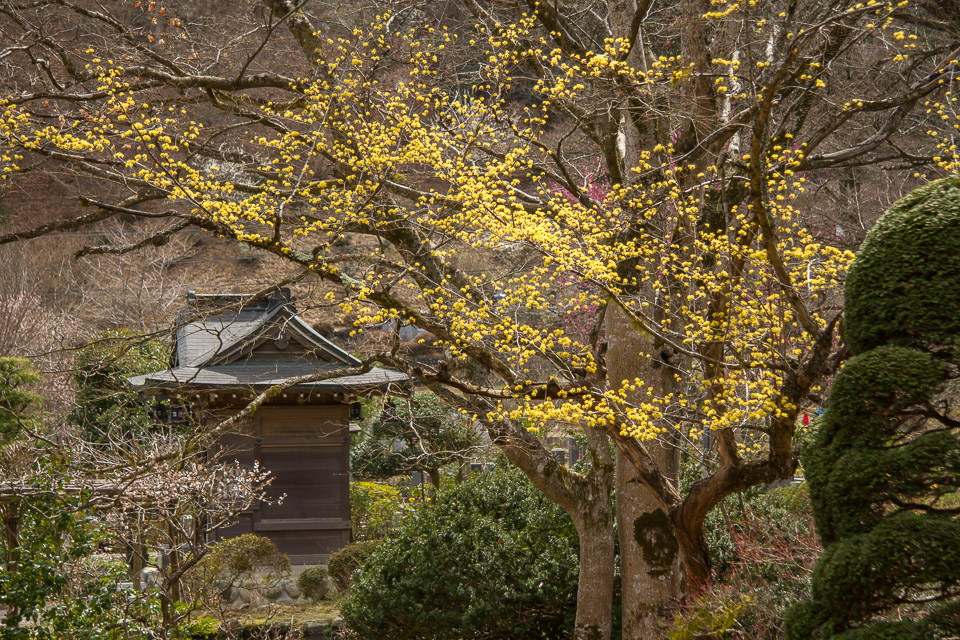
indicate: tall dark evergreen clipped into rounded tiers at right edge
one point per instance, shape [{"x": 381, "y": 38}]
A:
[{"x": 884, "y": 468}]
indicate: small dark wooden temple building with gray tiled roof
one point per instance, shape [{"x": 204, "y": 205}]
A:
[{"x": 301, "y": 436}]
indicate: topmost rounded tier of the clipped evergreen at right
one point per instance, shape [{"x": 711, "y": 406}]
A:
[{"x": 904, "y": 286}]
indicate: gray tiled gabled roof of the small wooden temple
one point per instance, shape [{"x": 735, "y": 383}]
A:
[{"x": 213, "y": 351}]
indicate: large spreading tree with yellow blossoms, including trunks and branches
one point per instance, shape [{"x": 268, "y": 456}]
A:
[{"x": 612, "y": 216}]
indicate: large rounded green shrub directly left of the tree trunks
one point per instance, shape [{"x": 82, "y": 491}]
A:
[{"x": 488, "y": 558}]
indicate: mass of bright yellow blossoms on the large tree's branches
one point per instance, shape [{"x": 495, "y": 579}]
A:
[{"x": 441, "y": 176}]
